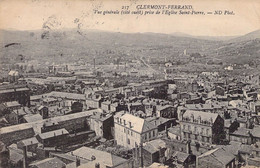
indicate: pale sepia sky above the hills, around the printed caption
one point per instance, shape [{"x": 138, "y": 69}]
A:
[{"x": 59, "y": 14}]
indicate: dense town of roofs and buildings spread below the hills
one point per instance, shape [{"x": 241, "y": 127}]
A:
[{"x": 128, "y": 114}]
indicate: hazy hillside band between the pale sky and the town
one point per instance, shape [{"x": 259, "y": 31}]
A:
[{"x": 70, "y": 45}]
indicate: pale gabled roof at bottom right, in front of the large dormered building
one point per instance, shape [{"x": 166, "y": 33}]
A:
[{"x": 219, "y": 154}]
